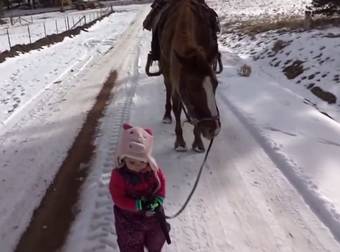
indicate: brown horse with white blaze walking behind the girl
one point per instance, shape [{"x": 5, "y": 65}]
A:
[{"x": 188, "y": 53}]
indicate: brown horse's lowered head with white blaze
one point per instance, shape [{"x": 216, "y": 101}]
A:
[{"x": 197, "y": 86}]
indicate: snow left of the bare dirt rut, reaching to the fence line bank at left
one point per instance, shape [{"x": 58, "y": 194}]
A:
[{"x": 44, "y": 103}]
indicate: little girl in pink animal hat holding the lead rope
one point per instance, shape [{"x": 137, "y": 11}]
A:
[{"x": 137, "y": 188}]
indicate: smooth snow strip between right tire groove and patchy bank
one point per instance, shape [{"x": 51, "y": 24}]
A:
[{"x": 301, "y": 141}]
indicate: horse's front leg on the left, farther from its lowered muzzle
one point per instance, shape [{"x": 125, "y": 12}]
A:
[{"x": 177, "y": 108}]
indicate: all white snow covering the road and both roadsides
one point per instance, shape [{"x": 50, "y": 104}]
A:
[{"x": 271, "y": 179}]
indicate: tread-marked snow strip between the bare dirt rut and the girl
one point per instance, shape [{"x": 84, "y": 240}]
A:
[{"x": 97, "y": 220}]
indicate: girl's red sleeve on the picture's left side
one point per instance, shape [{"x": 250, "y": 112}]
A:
[{"x": 117, "y": 190}]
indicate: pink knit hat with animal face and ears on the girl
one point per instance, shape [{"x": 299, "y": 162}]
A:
[{"x": 136, "y": 143}]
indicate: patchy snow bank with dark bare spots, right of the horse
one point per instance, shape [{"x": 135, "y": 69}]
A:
[{"x": 318, "y": 50}]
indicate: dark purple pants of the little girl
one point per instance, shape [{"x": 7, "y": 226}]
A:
[{"x": 136, "y": 231}]
